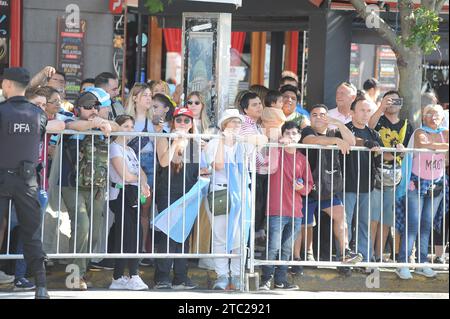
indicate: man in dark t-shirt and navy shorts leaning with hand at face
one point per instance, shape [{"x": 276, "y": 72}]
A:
[{"x": 320, "y": 134}]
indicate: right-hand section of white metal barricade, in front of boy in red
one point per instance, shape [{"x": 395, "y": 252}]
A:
[{"x": 362, "y": 218}]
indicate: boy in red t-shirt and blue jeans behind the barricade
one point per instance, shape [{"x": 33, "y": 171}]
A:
[{"x": 290, "y": 179}]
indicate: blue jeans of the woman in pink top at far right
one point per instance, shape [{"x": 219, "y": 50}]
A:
[{"x": 419, "y": 210}]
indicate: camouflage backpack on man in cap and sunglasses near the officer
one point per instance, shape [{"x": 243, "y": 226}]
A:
[{"x": 93, "y": 162}]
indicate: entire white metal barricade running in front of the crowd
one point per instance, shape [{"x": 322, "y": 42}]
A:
[{"x": 98, "y": 222}]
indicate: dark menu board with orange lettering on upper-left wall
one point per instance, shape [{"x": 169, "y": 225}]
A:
[{"x": 70, "y": 54}]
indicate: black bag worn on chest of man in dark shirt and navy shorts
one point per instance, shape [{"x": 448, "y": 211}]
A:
[{"x": 328, "y": 177}]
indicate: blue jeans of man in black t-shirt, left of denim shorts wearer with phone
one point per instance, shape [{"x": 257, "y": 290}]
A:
[{"x": 363, "y": 221}]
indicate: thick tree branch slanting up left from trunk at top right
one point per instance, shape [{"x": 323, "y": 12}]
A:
[{"x": 385, "y": 30}]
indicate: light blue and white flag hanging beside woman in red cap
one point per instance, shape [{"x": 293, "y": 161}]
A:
[{"x": 170, "y": 221}]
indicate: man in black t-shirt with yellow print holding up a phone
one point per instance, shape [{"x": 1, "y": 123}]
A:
[{"x": 394, "y": 132}]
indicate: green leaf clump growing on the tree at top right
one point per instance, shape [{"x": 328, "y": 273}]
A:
[{"x": 425, "y": 24}]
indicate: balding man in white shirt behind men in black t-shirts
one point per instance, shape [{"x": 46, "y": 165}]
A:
[{"x": 345, "y": 95}]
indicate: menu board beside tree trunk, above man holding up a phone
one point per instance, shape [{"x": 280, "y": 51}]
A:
[{"x": 387, "y": 72}]
